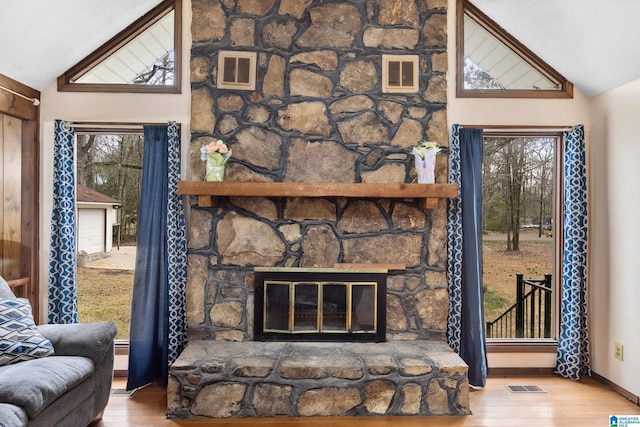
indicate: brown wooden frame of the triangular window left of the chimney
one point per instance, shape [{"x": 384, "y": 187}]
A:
[{"x": 66, "y": 81}]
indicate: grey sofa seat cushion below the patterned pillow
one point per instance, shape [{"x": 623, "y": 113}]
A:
[{"x": 35, "y": 384}]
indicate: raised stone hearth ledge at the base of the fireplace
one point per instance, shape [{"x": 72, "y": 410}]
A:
[{"x": 255, "y": 379}]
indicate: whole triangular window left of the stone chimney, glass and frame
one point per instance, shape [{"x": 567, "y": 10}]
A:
[{"x": 145, "y": 57}]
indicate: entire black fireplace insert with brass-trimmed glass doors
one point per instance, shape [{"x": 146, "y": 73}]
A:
[{"x": 320, "y": 304}]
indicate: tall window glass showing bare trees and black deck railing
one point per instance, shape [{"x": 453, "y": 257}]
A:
[{"x": 518, "y": 182}]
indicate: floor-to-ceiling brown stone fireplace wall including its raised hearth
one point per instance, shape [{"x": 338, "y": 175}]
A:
[{"x": 317, "y": 115}]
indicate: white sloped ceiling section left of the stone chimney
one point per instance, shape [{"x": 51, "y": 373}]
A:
[{"x": 41, "y": 39}]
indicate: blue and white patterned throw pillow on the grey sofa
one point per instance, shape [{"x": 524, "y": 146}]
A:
[{"x": 19, "y": 338}]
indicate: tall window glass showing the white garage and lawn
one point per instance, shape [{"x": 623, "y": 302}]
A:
[{"x": 109, "y": 179}]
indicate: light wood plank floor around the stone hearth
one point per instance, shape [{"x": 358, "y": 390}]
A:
[{"x": 586, "y": 403}]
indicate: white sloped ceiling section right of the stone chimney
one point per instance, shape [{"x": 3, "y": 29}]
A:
[{"x": 593, "y": 43}]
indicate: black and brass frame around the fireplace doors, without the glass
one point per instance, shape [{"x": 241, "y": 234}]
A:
[{"x": 321, "y": 278}]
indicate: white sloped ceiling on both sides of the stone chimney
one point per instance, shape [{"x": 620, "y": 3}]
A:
[{"x": 593, "y": 43}]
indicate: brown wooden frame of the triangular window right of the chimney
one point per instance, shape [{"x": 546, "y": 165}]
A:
[{"x": 464, "y": 7}]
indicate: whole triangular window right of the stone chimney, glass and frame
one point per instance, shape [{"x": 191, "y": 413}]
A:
[{"x": 492, "y": 63}]
